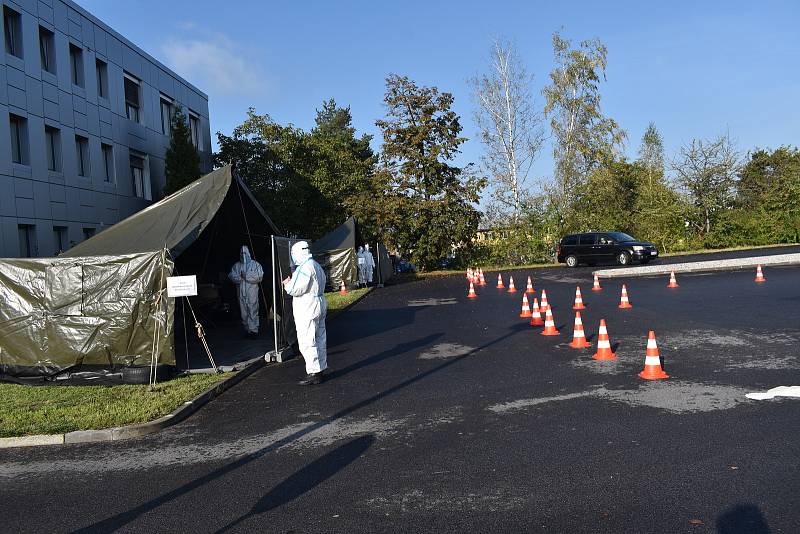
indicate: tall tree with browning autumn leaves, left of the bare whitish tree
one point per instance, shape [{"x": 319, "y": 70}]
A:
[{"x": 423, "y": 203}]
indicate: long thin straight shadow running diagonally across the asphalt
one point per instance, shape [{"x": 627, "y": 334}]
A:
[{"x": 121, "y": 519}]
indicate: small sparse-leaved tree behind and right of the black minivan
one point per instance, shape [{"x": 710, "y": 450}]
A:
[{"x": 707, "y": 170}]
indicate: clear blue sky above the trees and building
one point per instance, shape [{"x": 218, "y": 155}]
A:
[{"x": 697, "y": 69}]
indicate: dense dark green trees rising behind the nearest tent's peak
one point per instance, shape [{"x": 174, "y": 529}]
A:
[{"x": 308, "y": 181}]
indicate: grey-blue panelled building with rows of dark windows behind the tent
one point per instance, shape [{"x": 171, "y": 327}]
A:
[{"x": 84, "y": 126}]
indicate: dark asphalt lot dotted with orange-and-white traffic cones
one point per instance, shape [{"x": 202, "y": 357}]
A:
[{"x": 448, "y": 414}]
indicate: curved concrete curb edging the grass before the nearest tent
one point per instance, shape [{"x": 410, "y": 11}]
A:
[{"x": 139, "y": 429}]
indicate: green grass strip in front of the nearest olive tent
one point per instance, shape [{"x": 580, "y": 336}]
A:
[{"x": 28, "y": 410}]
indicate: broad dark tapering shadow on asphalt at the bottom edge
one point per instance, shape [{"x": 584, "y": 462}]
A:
[{"x": 307, "y": 478}]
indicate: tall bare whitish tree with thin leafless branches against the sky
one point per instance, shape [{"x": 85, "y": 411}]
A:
[{"x": 510, "y": 128}]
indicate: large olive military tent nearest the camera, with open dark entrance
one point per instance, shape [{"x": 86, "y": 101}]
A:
[{"x": 102, "y": 305}]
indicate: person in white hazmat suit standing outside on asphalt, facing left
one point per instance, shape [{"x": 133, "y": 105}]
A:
[{"x": 306, "y": 286}]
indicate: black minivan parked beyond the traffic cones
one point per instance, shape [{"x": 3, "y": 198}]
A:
[{"x": 598, "y": 247}]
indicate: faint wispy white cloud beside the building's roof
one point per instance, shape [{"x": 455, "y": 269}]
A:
[{"x": 214, "y": 63}]
